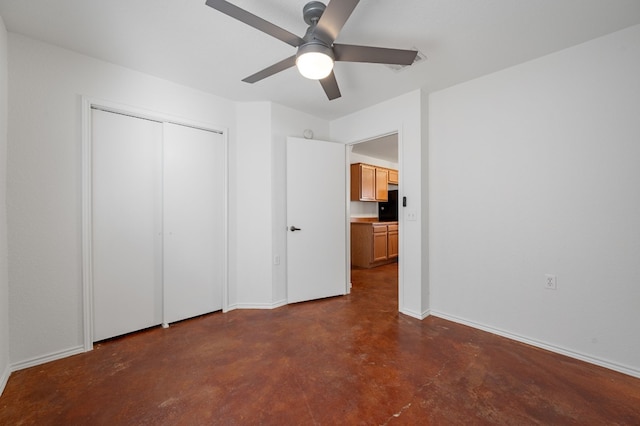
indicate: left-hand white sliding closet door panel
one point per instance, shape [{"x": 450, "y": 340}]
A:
[{"x": 126, "y": 224}]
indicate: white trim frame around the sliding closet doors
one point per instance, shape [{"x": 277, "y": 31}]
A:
[{"x": 87, "y": 210}]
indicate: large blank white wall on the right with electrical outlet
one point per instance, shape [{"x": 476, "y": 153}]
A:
[{"x": 535, "y": 170}]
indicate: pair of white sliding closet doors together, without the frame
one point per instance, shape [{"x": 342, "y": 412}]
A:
[{"x": 158, "y": 236}]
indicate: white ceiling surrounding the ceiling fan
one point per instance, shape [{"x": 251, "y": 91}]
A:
[{"x": 189, "y": 43}]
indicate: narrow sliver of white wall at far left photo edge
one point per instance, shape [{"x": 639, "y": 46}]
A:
[{"x": 4, "y": 280}]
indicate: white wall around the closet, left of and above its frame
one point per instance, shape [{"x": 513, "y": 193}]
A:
[{"x": 44, "y": 181}]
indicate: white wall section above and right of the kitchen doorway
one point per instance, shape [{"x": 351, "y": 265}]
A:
[{"x": 402, "y": 115}]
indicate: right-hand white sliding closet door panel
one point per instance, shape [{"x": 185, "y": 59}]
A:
[{"x": 194, "y": 230}]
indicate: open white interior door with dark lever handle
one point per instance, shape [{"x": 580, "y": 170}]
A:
[{"x": 316, "y": 204}]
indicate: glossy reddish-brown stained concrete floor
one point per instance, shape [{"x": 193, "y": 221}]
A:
[{"x": 349, "y": 360}]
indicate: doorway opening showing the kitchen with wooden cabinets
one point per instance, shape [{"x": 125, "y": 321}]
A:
[{"x": 374, "y": 205}]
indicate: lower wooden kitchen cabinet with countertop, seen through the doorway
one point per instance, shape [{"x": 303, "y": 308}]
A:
[{"x": 373, "y": 243}]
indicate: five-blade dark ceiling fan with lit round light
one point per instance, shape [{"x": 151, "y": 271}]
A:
[{"x": 317, "y": 51}]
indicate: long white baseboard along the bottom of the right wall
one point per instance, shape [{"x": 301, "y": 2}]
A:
[{"x": 543, "y": 345}]
